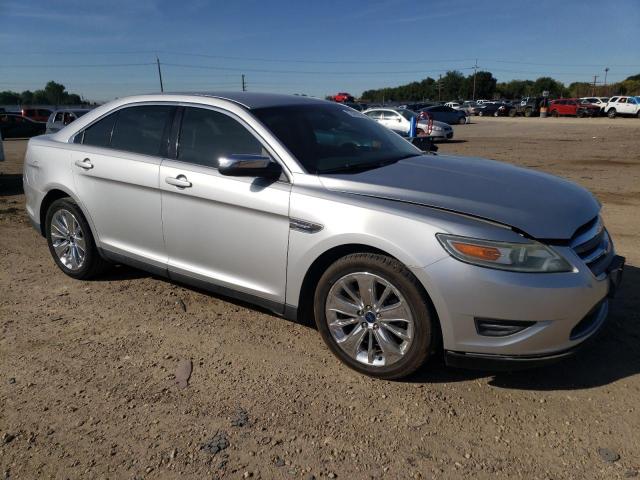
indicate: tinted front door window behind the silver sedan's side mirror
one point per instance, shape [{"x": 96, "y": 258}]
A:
[{"x": 207, "y": 135}]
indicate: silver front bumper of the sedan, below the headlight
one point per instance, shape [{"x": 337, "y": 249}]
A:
[{"x": 565, "y": 309}]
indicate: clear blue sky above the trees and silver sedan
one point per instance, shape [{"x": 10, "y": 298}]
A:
[{"x": 107, "y": 49}]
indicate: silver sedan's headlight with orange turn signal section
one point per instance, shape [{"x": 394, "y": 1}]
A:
[{"x": 531, "y": 257}]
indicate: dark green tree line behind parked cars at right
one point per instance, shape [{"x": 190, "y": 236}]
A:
[{"x": 455, "y": 86}]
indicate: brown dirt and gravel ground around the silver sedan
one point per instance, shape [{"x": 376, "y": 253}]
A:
[{"x": 87, "y": 386}]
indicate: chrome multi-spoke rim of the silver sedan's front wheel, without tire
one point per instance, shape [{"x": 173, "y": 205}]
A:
[{"x": 369, "y": 319}]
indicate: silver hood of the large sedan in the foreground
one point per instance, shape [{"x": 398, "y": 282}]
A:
[{"x": 541, "y": 205}]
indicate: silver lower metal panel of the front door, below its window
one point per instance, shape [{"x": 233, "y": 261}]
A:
[{"x": 231, "y": 231}]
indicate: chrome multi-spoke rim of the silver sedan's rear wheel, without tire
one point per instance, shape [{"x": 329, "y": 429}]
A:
[{"x": 67, "y": 239}]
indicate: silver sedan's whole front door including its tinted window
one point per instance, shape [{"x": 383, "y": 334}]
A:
[{"x": 230, "y": 233}]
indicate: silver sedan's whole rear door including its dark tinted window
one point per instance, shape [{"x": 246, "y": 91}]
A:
[{"x": 116, "y": 170}]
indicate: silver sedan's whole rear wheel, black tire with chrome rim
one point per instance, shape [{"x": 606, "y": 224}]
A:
[{"x": 68, "y": 231}]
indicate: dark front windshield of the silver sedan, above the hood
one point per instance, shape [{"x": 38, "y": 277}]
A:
[{"x": 326, "y": 138}]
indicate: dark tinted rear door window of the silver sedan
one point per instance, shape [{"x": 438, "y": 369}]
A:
[{"x": 141, "y": 129}]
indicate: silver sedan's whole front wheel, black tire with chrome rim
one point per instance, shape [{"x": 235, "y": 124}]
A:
[{"x": 394, "y": 356}]
